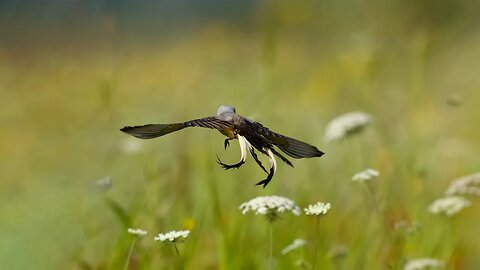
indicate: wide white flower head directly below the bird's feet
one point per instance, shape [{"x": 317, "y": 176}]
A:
[{"x": 270, "y": 206}]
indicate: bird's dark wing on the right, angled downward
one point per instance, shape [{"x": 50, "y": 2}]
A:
[{"x": 290, "y": 146}]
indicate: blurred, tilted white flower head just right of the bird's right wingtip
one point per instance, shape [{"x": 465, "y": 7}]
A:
[{"x": 344, "y": 125}]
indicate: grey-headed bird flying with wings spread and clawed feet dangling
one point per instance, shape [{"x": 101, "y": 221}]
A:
[{"x": 251, "y": 136}]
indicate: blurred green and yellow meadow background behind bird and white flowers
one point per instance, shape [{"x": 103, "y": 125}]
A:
[{"x": 73, "y": 72}]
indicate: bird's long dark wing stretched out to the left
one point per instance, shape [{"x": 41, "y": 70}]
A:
[{"x": 156, "y": 130}]
